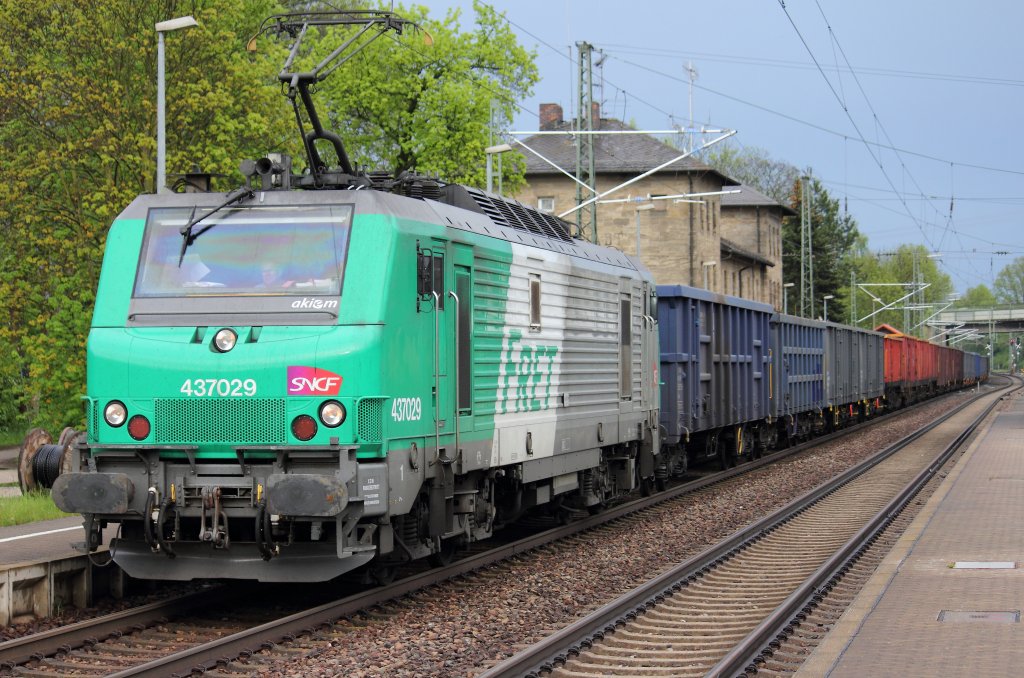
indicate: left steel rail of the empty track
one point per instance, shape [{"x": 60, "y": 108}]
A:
[{"x": 544, "y": 656}]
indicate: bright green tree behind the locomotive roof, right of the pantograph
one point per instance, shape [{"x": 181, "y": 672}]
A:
[{"x": 402, "y": 105}]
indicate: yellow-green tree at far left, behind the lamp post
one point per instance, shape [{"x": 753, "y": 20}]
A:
[{"x": 78, "y": 96}]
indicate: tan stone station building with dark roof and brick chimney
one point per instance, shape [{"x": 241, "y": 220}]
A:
[{"x": 731, "y": 244}]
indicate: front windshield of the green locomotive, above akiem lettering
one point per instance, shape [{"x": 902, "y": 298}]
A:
[{"x": 266, "y": 251}]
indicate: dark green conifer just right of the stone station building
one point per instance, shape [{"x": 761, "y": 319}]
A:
[{"x": 836, "y": 244}]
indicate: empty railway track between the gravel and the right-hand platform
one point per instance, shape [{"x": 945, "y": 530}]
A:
[{"x": 723, "y": 612}]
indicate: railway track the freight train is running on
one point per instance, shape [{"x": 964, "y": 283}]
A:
[{"x": 173, "y": 640}]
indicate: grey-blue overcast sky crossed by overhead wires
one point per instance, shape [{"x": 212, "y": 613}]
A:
[{"x": 931, "y": 78}]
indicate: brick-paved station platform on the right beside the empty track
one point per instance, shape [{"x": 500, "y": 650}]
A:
[{"x": 949, "y": 599}]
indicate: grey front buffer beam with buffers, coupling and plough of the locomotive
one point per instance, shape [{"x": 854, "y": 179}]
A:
[{"x": 276, "y": 516}]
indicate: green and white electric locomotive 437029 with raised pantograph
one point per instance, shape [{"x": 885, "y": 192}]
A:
[{"x": 327, "y": 371}]
